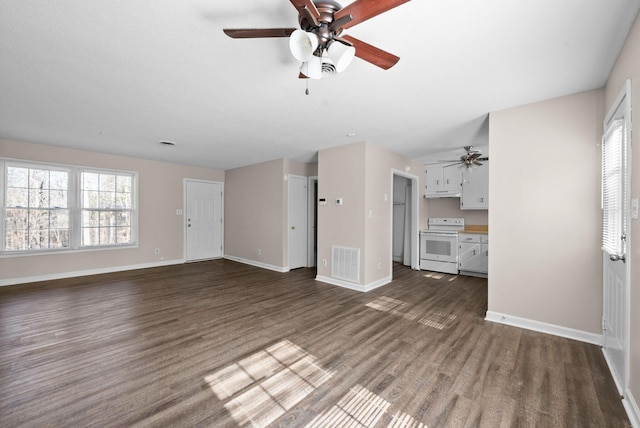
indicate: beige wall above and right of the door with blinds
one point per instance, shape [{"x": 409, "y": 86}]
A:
[{"x": 628, "y": 67}]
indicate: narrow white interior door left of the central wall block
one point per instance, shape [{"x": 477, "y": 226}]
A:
[{"x": 297, "y": 221}]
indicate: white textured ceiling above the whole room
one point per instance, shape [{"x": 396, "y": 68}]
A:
[{"x": 118, "y": 76}]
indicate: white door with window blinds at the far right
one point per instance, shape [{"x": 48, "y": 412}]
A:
[{"x": 615, "y": 235}]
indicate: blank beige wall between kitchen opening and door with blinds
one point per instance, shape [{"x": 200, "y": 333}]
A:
[{"x": 544, "y": 221}]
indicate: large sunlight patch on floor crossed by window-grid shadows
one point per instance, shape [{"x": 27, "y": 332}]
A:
[{"x": 263, "y": 386}]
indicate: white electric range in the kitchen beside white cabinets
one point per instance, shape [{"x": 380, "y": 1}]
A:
[{"x": 439, "y": 245}]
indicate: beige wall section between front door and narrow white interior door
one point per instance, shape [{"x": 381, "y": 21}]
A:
[{"x": 255, "y": 214}]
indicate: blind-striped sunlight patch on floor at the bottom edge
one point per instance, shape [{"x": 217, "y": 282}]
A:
[{"x": 362, "y": 408}]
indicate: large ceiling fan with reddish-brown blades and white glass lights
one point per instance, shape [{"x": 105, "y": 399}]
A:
[{"x": 319, "y": 43}]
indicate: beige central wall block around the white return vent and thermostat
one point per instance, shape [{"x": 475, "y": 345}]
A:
[{"x": 360, "y": 174}]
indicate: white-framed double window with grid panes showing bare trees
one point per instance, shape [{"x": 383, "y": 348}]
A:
[{"x": 58, "y": 207}]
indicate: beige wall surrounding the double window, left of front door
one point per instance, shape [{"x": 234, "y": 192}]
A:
[{"x": 160, "y": 190}]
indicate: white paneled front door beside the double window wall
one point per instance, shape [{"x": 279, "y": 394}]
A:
[{"x": 203, "y": 220}]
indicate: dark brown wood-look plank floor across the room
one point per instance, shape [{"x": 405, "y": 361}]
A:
[{"x": 223, "y": 344}]
